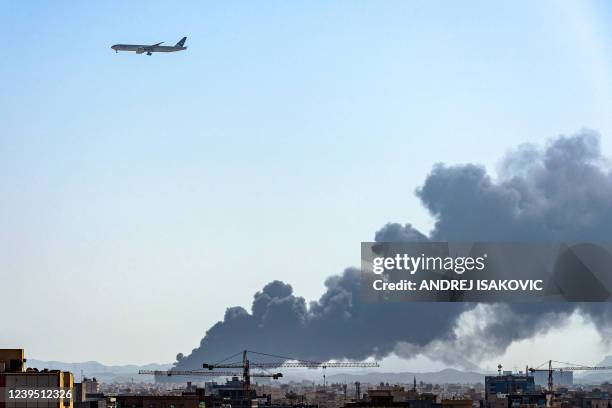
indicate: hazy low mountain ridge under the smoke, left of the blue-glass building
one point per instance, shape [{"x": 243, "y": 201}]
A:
[{"x": 449, "y": 376}]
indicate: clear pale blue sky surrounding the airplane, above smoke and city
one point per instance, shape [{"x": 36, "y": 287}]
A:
[{"x": 140, "y": 196}]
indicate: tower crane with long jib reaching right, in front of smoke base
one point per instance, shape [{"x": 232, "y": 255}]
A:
[{"x": 285, "y": 362}]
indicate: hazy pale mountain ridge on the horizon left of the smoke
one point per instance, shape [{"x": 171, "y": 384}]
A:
[{"x": 104, "y": 373}]
